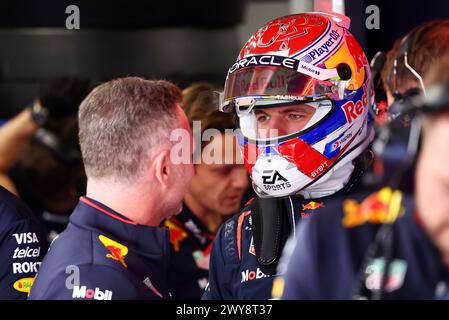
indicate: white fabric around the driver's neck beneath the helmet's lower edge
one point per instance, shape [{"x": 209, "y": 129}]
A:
[{"x": 333, "y": 181}]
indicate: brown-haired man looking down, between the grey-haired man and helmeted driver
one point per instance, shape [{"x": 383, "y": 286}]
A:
[{"x": 214, "y": 194}]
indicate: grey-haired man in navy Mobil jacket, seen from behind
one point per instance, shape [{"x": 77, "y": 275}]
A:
[{"x": 113, "y": 246}]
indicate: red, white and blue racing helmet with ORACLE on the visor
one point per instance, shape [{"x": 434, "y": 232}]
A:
[{"x": 311, "y": 59}]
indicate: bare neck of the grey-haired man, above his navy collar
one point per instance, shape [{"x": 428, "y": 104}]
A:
[{"x": 129, "y": 200}]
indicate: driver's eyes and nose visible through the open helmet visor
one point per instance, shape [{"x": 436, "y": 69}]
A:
[{"x": 281, "y": 121}]
